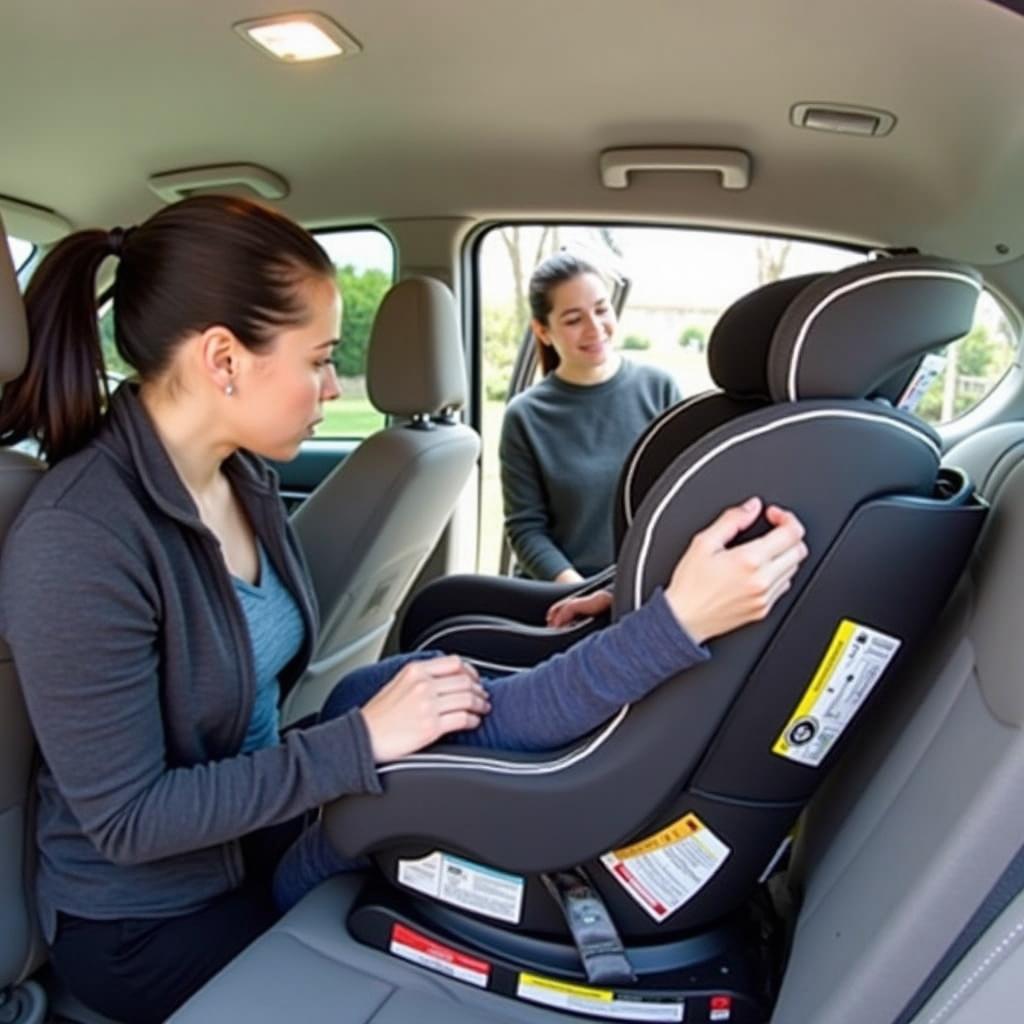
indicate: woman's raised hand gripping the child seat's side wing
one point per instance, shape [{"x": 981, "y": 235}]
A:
[{"x": 716, "y": 589}]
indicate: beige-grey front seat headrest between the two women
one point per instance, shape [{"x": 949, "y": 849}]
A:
[{"x": 416, "y": 365}]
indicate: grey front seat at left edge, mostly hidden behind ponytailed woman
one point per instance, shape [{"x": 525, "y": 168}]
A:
[{"x": 20, "y": 949}]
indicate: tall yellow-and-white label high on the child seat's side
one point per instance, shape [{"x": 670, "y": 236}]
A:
[{"x": 854, "y": 664}]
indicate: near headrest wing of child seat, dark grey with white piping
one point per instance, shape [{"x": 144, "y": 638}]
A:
[{"x": 847, "y": 334}]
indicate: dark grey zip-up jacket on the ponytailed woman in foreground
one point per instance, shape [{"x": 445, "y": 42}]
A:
[{"x": 137, "y": 667}]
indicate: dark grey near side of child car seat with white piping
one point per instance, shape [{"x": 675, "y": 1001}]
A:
[{"x": 729, "y": 754}]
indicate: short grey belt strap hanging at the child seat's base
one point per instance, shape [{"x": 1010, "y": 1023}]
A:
[{"x": 593, "y": 930}]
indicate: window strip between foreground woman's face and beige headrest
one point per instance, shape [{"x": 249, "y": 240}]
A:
[{"x": 365, "y": 260}]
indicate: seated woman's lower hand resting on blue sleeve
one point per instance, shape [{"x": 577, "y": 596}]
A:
[{"x": 423, "y": 703}]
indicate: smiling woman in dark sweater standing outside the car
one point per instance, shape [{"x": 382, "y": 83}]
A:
[{"x": 565, "y": 441}]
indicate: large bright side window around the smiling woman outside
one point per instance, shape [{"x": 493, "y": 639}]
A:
[{"x": 677, "y": 283}]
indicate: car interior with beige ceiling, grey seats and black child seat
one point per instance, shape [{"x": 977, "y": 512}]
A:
[{"x": 809, "y": 214}]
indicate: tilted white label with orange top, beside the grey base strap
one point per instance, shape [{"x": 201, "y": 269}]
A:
[{"x": 665, "y": 871}]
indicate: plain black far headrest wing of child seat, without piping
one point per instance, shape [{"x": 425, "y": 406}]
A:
[{"x": 738, "y": 351}]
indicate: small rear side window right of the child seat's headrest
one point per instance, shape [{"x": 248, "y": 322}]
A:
[{"x": 966, "y": 372}]
